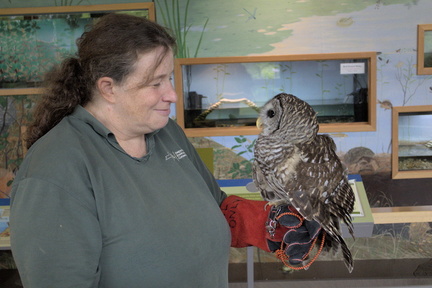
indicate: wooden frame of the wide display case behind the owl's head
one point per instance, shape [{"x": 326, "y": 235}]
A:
[{"x": 369, "y": 125}]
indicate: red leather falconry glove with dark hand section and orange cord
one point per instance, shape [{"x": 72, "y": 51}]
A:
[{"x": 273, "y": 229}]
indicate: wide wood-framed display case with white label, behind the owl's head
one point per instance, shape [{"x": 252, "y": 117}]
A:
[{"x": 222, "y": 95}]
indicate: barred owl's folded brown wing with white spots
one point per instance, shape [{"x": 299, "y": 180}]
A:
[{"x": 321, "y": 189}]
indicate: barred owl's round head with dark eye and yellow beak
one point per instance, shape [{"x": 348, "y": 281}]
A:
[{"x": 287, "y": 117}]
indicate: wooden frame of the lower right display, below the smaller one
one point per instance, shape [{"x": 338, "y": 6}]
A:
[{"x": 396, "y": 172}]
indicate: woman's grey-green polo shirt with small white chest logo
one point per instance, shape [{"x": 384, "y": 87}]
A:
[{"x": 86, "y": 214}]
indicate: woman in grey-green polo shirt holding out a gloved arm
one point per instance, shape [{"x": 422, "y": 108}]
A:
[{"x": 111, "y": 193}]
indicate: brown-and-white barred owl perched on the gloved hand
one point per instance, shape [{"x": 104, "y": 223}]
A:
[{"x": 295, "y": 165}]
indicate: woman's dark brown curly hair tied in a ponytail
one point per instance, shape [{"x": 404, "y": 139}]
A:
[{"x": 109, "y": 49}]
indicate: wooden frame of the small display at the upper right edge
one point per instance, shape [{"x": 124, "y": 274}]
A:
[{"x": 422, "y": 68}]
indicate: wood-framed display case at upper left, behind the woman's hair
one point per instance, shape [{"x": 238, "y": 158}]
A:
[{"x": 34, "y": 39}]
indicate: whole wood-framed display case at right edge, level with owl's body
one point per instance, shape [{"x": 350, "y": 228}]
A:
[{"x": 412, "y": 142}]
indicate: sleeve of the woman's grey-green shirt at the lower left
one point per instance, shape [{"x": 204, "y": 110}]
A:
[{"x": 56, "y": 240}]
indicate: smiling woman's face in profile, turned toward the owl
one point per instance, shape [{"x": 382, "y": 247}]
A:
[{"x": 143, "y": 106}]
